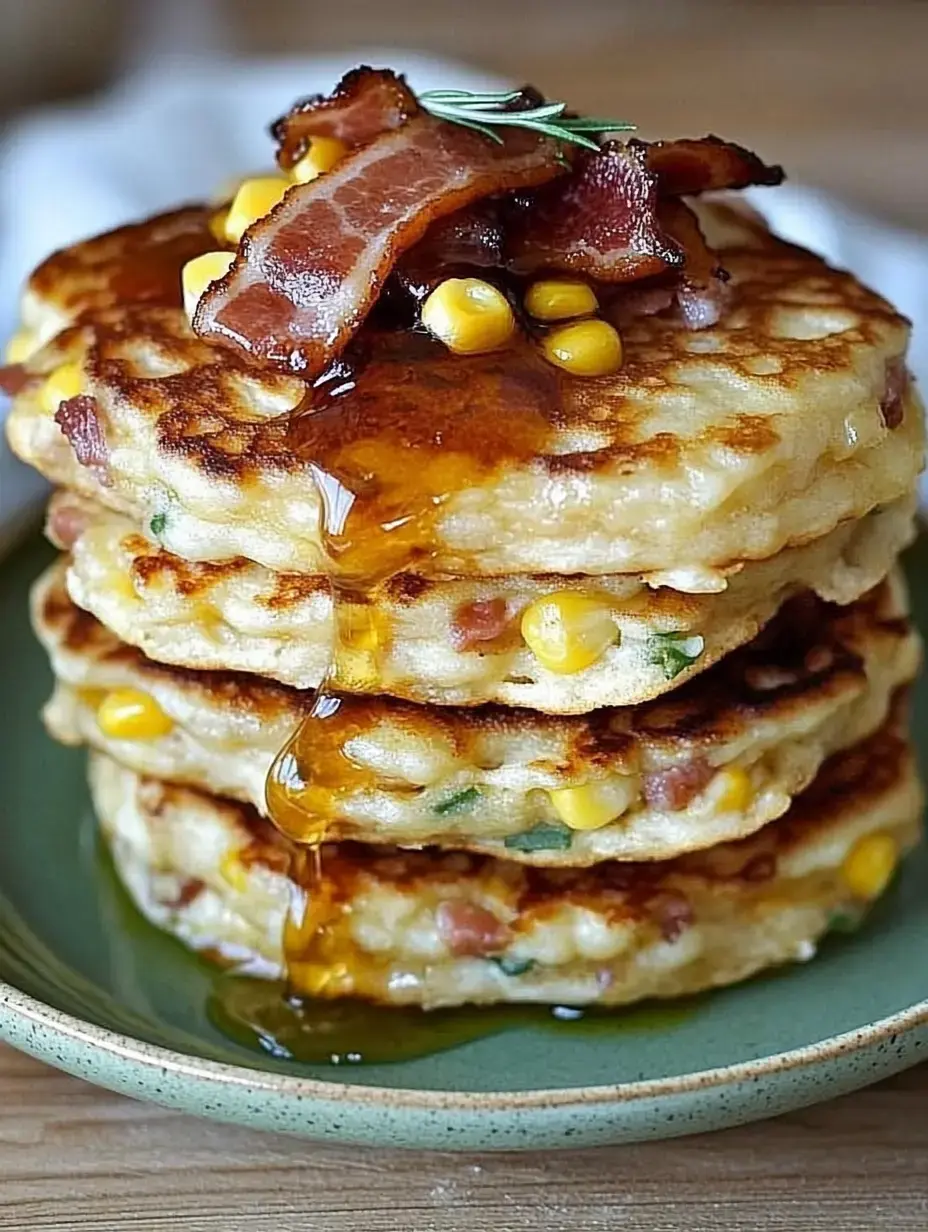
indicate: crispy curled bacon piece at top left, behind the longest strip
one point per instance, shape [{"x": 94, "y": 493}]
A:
[{"x": 365, "y": 104}]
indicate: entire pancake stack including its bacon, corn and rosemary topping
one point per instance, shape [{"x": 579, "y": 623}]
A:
[{"x": 478, "y": 572}]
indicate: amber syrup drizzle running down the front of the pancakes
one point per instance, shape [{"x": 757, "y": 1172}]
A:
[{"x": 389, "y": 444}]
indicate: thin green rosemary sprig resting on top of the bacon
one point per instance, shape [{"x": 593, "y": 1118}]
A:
[{"x": 486, "y": 113}]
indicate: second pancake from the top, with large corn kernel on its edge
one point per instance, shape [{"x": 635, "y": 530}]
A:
[{"x": 245, "y": 618}]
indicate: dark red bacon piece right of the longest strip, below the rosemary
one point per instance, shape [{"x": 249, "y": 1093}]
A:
[{"x": 602, "y": 221}]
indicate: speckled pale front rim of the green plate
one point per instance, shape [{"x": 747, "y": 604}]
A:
[{"x": 448, "y": 1119}]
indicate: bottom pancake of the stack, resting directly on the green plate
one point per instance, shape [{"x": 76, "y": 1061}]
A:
[{"x": 433, "y": 930}]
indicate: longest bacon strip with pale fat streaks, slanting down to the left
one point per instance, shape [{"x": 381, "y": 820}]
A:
[{"x": 307, "y": 275}]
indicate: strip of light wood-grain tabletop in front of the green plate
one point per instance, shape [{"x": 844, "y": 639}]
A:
[{"x": 78, "y": 1159}]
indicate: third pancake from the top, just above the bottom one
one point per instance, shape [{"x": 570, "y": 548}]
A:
[{"x": 715, "y": 762}]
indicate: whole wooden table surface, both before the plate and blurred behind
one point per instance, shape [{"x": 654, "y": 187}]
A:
[{"x": 840, "y": 94}]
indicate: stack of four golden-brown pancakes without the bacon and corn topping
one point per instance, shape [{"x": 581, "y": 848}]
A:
[{"x": 639, "y": 731}]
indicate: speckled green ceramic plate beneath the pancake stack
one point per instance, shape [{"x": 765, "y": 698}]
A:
[{"x": 87, "y": 986}]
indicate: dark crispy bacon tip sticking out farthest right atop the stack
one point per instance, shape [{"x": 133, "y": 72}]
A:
[{"x": 706, "y": 164}]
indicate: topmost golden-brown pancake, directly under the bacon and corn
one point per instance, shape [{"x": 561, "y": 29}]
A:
[{"x": 709, "y": 448}]
